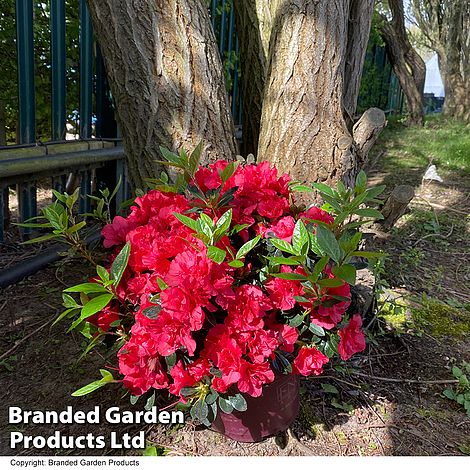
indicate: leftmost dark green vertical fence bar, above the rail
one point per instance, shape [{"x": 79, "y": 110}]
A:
[{"x": 25, "y": 49}]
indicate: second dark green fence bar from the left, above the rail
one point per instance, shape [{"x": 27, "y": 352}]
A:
[{"x": 58, "y": 68}]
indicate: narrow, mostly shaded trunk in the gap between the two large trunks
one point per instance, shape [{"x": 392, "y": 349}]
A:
[{"x": 254, "y": 25}]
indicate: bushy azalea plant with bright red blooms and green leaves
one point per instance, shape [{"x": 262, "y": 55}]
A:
[{"x": 220, "y": 280}]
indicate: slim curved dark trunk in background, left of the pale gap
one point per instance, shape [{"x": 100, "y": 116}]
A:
[{"x": 408, "y": 66}]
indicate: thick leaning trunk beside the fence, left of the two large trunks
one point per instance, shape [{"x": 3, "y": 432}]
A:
[{"x": 166, "y": 77}]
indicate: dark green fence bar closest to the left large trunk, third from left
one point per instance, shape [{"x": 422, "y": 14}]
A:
[{"x": 86, "y": 71}]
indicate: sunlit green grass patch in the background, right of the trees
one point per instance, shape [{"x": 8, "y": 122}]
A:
[{"x": 444, "y": 141}]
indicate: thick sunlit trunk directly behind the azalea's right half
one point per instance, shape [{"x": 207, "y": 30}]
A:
[{"x": 311, "y": 89}]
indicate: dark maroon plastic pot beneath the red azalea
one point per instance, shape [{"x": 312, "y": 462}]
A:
[{"x": 274, "y": 411}]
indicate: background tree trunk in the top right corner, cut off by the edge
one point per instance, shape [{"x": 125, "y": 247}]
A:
[{"x": 446, "y": 26}]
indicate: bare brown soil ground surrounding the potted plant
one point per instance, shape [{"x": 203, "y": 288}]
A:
[{"x": 387, "y": 402}]
